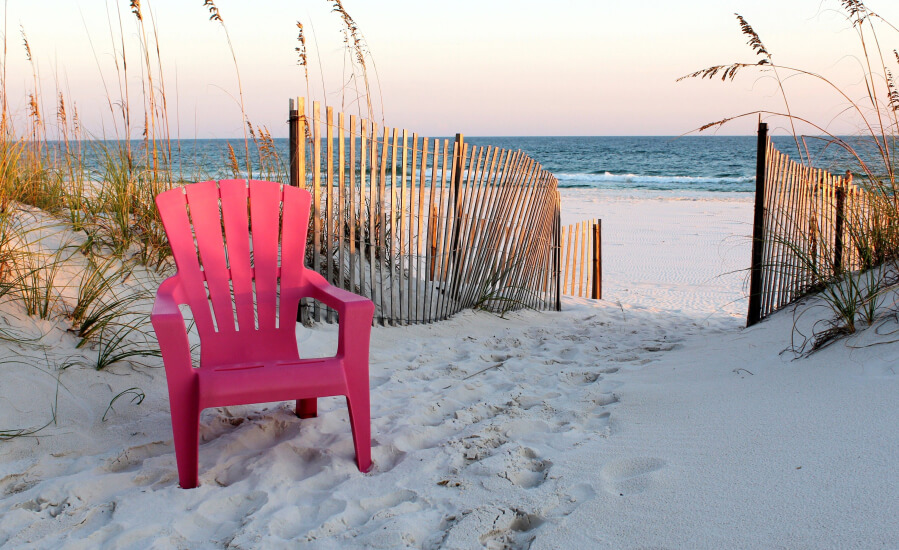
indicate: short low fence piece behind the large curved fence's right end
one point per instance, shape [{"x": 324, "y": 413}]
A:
[{"x": 582, "y": 259}]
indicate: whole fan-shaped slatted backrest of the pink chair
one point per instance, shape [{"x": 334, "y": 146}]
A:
[{"x": 239, "y": 248}]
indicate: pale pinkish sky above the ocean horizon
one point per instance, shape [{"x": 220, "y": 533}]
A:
[{"x": 502, "y": 67}]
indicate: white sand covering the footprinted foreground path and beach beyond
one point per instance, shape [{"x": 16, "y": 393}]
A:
[{"x": 649, "y": 420}]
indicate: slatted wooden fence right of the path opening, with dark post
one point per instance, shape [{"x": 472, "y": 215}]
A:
[{"x": 806, "y": 220}]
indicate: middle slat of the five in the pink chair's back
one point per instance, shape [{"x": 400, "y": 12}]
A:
[{"x": 237, "y": 236}]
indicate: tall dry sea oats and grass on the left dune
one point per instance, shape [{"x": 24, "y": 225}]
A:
[{"x": 101, "y": 187}]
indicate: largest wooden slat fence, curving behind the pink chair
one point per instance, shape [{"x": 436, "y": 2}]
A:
[{"x": 424, "y": 227}]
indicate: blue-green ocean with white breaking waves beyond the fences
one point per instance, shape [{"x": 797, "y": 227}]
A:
[{"x": 717, "y": 164}]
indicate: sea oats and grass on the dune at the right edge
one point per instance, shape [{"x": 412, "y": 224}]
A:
[{"x": 852, "y": 294}]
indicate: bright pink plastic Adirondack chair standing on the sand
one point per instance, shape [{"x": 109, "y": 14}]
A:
[{"x": 244, "y": 302}]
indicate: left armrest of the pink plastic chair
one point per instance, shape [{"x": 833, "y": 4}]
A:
[{"x": 171, "y": 332}]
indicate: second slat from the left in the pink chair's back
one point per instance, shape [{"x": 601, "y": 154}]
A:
[{"x": 205, "y": 215}]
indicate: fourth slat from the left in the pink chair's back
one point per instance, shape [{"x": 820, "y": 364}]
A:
[{"x": 265, "y": 209}]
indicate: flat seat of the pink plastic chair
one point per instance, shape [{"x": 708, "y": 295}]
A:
[{"x": 276, "y": 381}]
